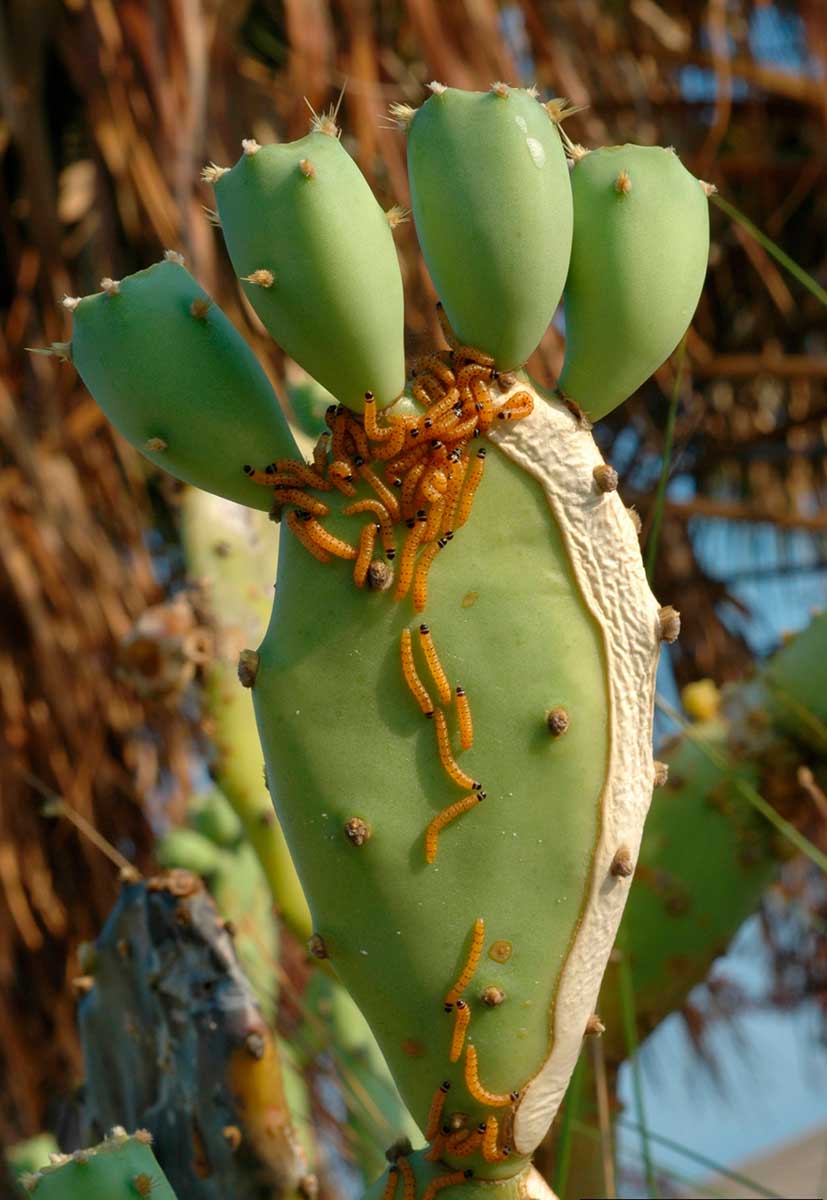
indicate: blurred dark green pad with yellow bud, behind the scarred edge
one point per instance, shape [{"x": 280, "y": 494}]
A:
[{"x": 686, "y": 907}]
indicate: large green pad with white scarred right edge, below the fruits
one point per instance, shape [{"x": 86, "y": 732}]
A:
[{"x": 560, "y": 676}]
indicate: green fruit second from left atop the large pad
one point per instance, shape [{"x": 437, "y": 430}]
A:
[{"x": 317, "y": 261}]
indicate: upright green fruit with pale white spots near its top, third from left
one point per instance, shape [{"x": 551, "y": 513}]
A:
[{"x": 493, "y": 206}]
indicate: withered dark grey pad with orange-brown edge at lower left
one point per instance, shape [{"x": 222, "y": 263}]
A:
[{"x": 173, "y": 1037}]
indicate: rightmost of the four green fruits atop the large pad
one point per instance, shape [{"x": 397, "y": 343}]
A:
[{"x": 639, "y": 257}]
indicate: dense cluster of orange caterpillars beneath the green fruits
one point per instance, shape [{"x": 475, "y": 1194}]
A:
[{"x": 429, "y": 481}]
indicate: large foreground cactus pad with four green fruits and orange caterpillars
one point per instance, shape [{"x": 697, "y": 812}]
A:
[{"x": 456, "y": 692}]
